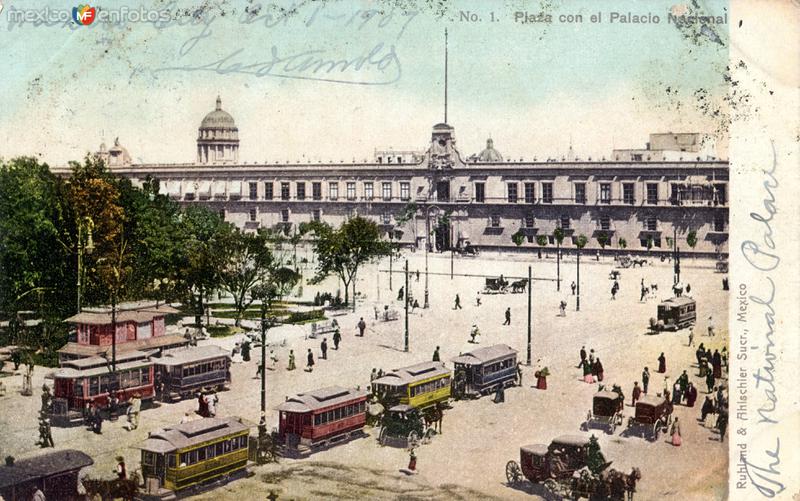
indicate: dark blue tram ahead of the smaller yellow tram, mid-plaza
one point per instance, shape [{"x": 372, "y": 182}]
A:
[{"x": 481, "y": 371}]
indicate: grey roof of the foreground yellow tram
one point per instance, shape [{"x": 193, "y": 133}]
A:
[{"x": 185, "y": 435}]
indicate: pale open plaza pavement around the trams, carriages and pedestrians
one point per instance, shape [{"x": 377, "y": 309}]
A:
[{"x": 468, "y": 460}]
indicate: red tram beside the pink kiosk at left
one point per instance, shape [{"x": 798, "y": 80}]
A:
[{"x": 81, "y": 383}]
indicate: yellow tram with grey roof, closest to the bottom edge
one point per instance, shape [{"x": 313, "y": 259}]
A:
[{"x": 188, "y": 454}]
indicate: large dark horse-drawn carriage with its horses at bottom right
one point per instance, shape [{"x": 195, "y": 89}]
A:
[{"x": 571, "y": 467}]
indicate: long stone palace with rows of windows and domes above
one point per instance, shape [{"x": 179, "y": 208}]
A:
[{"x": 673, "y": 186}]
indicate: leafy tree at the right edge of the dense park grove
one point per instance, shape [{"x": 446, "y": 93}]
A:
[{"x": 246, "y": 261}]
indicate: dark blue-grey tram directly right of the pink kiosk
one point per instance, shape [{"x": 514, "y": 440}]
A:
[{"x": 186, "y": 371}]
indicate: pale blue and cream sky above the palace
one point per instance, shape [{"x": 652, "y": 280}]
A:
[{"x": 534, "y": 88}]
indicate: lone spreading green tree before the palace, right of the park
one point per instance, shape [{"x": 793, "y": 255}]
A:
[{"x": 342, "y": 251}]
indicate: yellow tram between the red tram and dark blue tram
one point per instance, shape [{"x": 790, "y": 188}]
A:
[{"x": 418, "y": 386}]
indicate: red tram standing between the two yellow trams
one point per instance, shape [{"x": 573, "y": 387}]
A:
[{"x": 317, "y": 419}]
